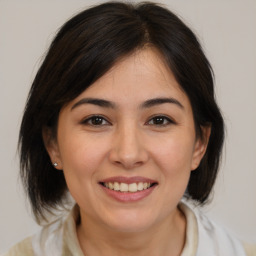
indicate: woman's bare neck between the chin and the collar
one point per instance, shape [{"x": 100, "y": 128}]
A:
[{"x": 166, "y": 238}]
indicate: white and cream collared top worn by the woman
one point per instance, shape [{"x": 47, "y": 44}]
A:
[{"x": 203, "y": 238}]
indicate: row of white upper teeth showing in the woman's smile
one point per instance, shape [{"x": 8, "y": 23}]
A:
[{"x": 124, "y": 187}]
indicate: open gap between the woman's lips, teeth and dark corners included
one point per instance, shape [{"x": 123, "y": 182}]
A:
[{"x": 128, "y": 187}]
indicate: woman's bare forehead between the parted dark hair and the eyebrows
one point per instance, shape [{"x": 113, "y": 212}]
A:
[{"x": 137, "y": 77}]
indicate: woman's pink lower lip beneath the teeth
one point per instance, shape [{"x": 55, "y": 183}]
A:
[{"x": 128, "y": 196}]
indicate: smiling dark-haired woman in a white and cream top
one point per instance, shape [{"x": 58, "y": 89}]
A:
[{"x": 122, "y": 116}]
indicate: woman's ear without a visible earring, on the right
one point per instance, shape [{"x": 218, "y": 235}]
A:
[{"x": 200, "y": 146}]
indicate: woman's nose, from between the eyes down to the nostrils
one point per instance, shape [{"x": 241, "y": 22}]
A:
[{"x": 128, "y": 148}]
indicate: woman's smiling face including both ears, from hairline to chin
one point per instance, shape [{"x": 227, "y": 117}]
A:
[{"x": 127, "y": 145}]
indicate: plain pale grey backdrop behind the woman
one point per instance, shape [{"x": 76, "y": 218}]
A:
[{"x": 227, "y": 31}]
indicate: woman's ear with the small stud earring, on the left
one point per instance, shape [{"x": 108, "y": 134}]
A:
[{"x": 51, "y": 145}]
